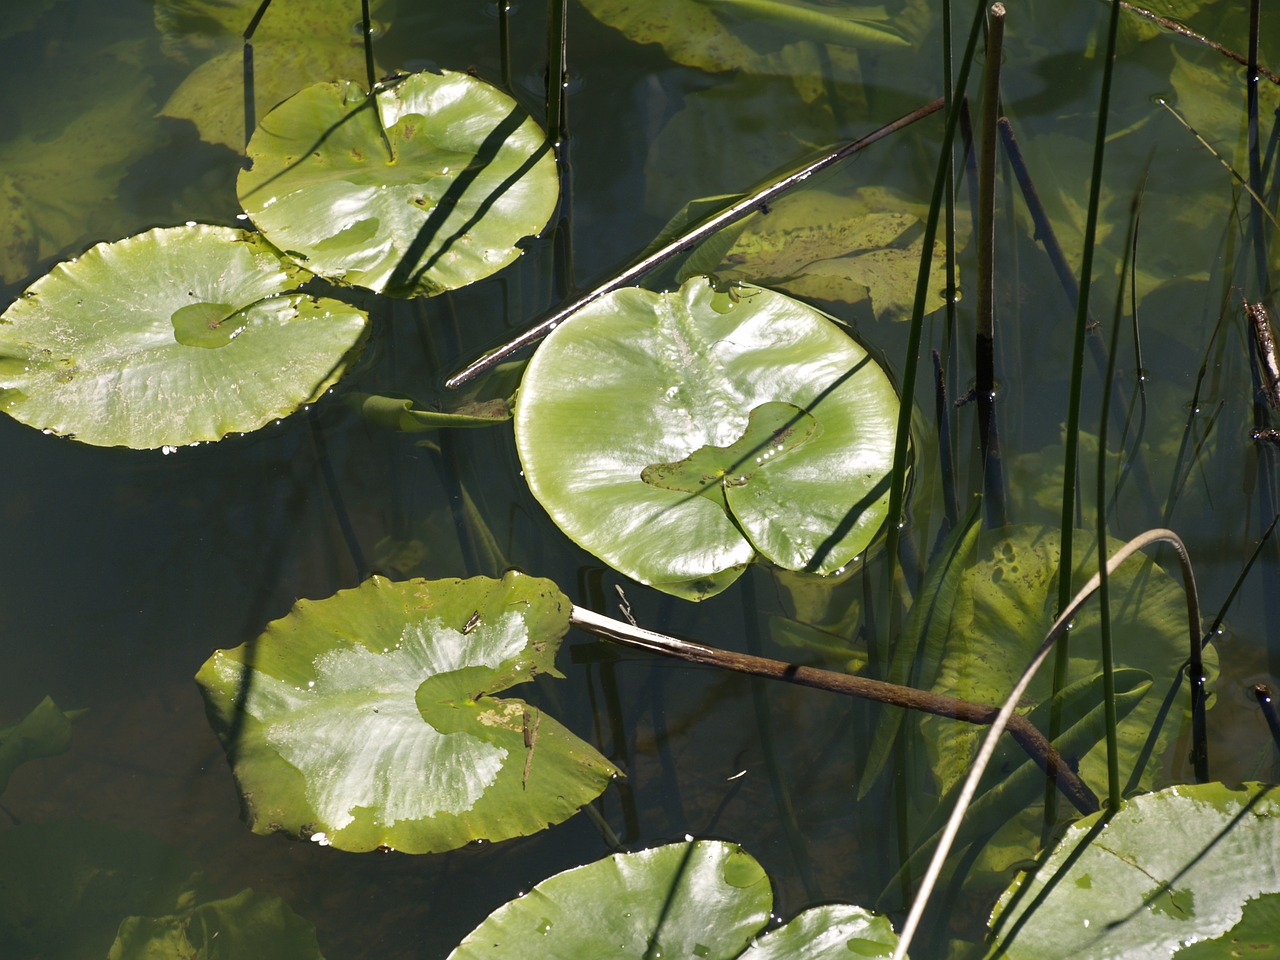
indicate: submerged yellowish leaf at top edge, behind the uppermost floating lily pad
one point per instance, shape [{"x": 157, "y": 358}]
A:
[{"x": 296, "y": 43}]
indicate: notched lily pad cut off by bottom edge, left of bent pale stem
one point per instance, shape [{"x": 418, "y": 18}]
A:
[{"x": 701, "y": 899}]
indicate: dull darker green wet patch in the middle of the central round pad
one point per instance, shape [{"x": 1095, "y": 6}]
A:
[{"x": 772, "y": 432}]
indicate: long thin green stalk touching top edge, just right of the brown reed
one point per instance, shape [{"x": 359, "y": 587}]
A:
[{"x": 1072, "y": 456}]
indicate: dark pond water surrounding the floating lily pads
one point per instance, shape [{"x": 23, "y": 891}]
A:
[{"x": 125, "y": 570}]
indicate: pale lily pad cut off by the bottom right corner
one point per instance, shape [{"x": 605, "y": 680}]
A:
[{"x": 1169, "y": 872}]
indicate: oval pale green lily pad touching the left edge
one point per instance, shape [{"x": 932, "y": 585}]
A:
[{"x": 168, "y": 339}]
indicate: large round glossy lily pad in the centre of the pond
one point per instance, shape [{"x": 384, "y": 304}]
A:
[{"x": 701, "y": 364}]
